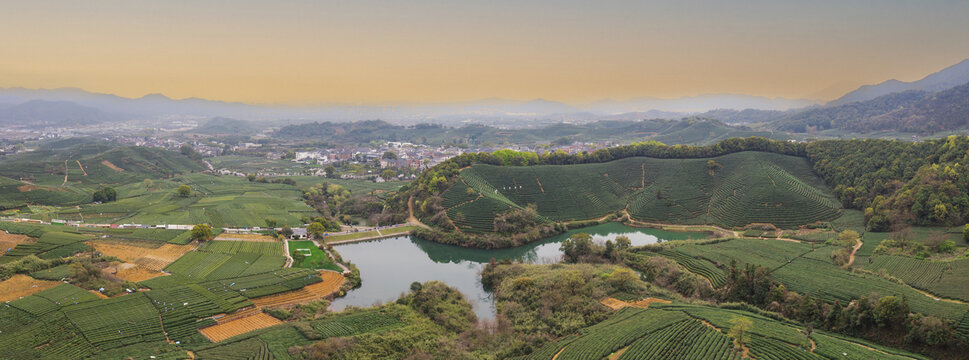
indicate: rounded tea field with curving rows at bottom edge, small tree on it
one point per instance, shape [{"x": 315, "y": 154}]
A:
[{"x": 680, "y": 331}]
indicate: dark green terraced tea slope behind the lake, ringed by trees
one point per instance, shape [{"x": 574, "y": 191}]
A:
[{"x": 749, "y": 187}]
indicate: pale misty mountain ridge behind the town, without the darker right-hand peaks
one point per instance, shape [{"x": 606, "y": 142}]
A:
[{"x": 490, "y": 111}]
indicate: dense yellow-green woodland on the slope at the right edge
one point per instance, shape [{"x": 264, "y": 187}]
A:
[{"x": 898, "y": 183}]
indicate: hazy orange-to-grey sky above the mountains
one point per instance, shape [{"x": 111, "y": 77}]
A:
[{"x": 358, "y": 51}]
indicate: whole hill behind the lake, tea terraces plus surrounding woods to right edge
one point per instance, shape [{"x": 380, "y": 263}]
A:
[{"x": 499, "y": 199}]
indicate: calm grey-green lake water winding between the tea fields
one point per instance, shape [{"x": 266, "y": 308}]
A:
[{"x": 389, "y": 266}]
